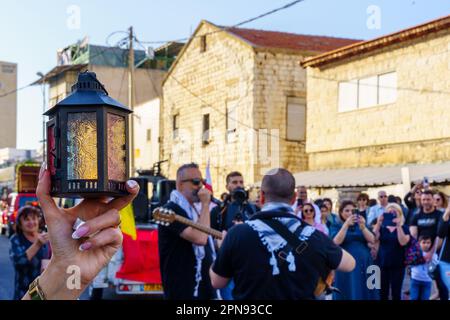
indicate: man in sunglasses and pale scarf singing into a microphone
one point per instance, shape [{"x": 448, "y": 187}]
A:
[{"x": 186, "y": 253}]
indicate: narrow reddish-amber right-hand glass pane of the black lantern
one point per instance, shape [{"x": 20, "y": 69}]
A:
[{"x": 116, "y": 147}]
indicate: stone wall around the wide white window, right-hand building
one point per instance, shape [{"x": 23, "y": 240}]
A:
[{"x": 414, "y": 129}]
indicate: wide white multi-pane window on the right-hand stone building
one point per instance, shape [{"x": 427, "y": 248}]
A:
[{"x": 367, "y": 92}]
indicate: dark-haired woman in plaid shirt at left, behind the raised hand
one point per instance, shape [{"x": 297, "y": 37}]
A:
[{"x": 28, "y": 249}]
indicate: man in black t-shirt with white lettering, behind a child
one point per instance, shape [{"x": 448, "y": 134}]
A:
[{"x": 426, "y": 221}]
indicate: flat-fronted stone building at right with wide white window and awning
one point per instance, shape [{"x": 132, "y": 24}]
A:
[{"x": 378, "y": 106}]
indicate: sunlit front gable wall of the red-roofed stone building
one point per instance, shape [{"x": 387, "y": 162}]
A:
[{"x": 206, "y": 83}]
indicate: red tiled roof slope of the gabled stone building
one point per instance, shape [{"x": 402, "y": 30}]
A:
[{"x": 290, "y": 41}]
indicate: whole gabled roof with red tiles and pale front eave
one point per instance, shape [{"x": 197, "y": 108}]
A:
[{"x": 262, "y": 39}]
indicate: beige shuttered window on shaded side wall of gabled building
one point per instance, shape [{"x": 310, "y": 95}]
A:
[{"x": 296, "y": 119}]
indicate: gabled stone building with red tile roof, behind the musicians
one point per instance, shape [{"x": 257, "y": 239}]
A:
[{"x": 237, "y": 98}]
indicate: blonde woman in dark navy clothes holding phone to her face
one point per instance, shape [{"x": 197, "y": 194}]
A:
[{"x": 393, "y": 236}]
